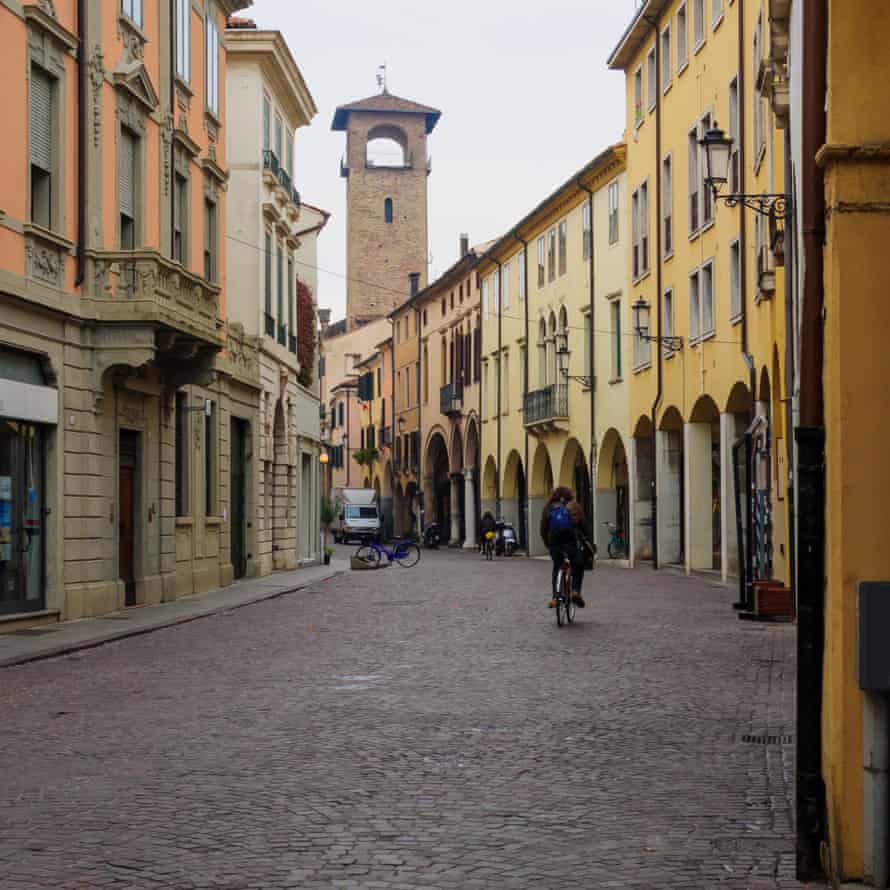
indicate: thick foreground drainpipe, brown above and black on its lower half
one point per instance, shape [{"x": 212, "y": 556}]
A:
[{"x": 810, "y": 439}]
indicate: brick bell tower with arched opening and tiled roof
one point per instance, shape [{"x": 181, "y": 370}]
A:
[{"x": 386, "y": 201}]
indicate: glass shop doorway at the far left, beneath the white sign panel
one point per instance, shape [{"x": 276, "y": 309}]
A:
[{"x": 21, "y": 517}]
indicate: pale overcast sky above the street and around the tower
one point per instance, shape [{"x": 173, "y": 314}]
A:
[{"x": 525, "y": 96}]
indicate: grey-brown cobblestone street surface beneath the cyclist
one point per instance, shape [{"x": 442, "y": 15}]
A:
[{"x": 413, "y": 728}]
